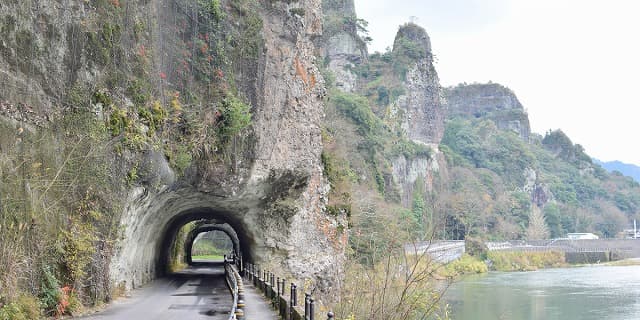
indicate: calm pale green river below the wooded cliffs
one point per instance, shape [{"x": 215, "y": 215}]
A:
[{"x": 584, "y": 293}]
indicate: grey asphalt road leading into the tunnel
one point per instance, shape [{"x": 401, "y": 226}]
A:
[{"x": 197, "y": 292}]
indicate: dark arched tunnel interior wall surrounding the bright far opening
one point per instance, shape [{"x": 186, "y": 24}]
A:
[{"x": 185, "y": 228}]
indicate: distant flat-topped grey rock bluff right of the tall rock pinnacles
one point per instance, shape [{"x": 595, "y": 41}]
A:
[{"x": 490, "y": 100}]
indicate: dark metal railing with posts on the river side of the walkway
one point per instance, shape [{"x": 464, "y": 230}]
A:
[{"x": 273, "y": 289}]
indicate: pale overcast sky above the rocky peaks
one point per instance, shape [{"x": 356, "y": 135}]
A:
[{"x": 574, "y": 64}]
